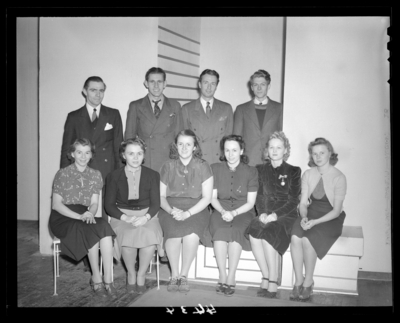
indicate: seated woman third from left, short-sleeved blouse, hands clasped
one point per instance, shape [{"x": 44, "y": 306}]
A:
[{"x": 186, "y": 189}]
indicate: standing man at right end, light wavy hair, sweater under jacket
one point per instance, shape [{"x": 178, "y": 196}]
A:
[{"x": 257, "y": 119}]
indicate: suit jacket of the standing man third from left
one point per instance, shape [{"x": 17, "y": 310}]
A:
[{"x": 209, "y": 131}]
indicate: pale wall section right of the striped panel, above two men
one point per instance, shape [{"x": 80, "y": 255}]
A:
[{"x": 236, "y": 47}]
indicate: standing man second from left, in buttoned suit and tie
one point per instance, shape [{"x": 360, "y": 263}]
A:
[{"x": 155, "y": 119}]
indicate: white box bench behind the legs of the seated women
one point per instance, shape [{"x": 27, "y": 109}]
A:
[{"x": 336, "y": 273}]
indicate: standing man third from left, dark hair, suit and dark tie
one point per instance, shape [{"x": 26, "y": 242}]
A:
[{"x": 209, "y": 118}]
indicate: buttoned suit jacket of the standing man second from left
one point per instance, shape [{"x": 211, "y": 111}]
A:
[{"x": 157, "y": 133}]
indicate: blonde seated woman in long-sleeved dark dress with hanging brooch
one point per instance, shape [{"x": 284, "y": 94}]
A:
[{"x": 276, "y": 204}]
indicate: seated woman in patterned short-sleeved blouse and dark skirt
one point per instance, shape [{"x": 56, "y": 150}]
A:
[{"x": 76, "y": 190}]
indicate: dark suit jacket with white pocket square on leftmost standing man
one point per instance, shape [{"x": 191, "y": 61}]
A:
[{"x": 107, "y": 142}]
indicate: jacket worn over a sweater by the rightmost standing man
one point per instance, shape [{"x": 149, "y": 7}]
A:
[{"x": 246, "y": 125}]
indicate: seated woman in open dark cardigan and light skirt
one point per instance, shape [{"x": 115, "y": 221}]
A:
[{"x": 132, "y": 199}]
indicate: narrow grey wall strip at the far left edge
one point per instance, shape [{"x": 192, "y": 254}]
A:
[{"x": 27, "y": 118}]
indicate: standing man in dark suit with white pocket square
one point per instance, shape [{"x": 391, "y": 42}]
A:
[{"x": 101, "y": 125}]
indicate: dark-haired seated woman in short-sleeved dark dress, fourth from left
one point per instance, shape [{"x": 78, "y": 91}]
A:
[{"x": 234, "y": 195}]
